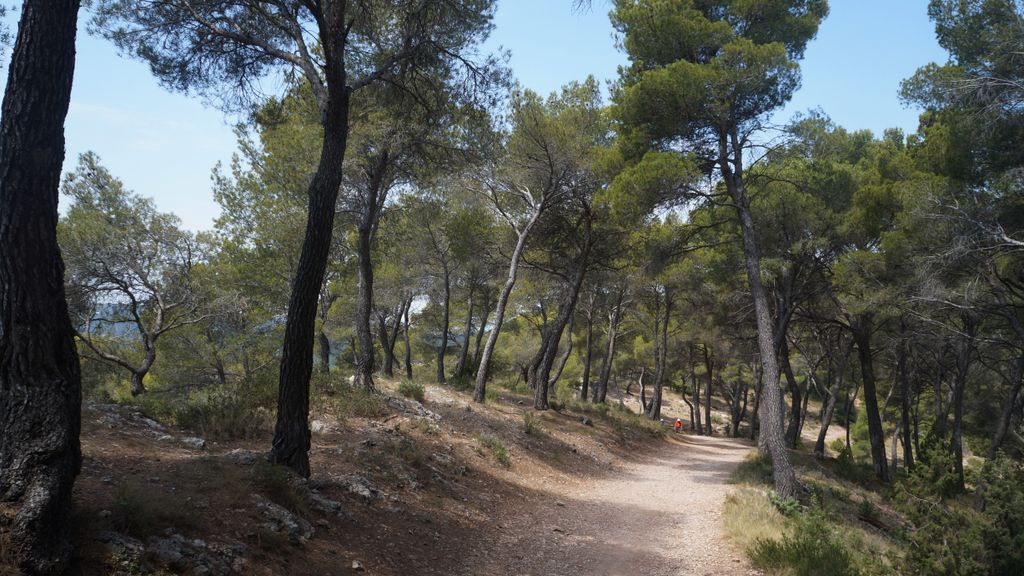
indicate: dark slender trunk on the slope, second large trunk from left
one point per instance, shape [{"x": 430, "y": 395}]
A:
[{"x": 291, "y": 437}]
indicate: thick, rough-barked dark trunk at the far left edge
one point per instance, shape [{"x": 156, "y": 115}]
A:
[{"x": 40, "y": 380}]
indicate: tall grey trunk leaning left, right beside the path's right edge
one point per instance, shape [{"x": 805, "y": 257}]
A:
[{"x": 772, "y": 406}]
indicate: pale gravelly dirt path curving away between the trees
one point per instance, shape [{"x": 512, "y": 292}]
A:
[{"x": 658, "y": 516}]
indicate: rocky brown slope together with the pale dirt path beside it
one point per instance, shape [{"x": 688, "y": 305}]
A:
[{"x": 419, "y": 490}]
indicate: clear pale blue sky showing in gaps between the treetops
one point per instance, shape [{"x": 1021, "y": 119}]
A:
[{"x": 165, "y": 145}]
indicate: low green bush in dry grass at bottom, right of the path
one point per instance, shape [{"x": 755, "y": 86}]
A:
[{"x": 813, "y": 550}]
